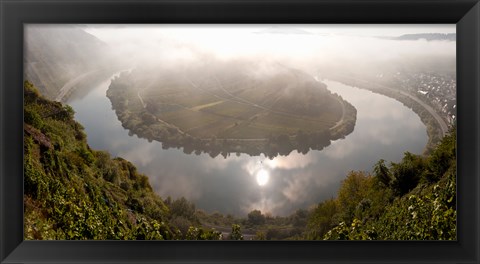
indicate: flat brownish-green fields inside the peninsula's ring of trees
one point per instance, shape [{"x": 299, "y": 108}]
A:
[{"x": 243, "y": 108}]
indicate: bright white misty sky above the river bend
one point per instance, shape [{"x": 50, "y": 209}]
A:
[{"x": 300, "y": 46}]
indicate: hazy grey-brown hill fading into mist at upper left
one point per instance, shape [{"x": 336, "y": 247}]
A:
[{"x": 56, "y": 54}]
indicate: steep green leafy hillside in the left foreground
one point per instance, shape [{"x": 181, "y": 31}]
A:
[{"x": 74, "y": 192}]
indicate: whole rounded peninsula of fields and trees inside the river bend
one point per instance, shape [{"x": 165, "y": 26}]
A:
[{"x": 247, "y": 111}]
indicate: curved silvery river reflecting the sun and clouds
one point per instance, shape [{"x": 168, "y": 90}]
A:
[{"x": 384, "y": 129}]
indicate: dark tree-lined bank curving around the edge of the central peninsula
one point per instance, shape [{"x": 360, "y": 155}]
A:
[{"x": 135, "y": 116}]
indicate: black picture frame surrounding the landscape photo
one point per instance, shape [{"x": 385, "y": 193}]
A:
[{"x": 464, "y": 13}]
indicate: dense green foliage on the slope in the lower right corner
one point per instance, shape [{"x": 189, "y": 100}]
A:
[{"x": 414, "y": 199}]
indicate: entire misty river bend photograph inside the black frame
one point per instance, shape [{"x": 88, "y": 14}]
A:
[{"x": 240, "y": 131}]
